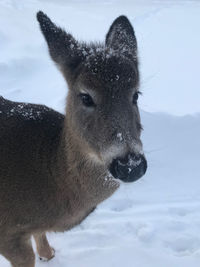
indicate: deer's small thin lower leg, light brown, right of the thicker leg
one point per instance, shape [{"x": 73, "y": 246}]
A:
[{"x": 44, "y": 250}]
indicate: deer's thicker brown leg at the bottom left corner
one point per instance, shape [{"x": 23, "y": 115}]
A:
[{"x": 18, "y": 250}]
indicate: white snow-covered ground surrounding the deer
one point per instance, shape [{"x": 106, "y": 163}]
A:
[{"x": 155, "y": 221}]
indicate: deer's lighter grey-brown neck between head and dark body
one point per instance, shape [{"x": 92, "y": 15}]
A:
[{"x": 86, "y": 177}]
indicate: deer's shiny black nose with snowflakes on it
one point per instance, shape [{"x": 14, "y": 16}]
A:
[{"x": 130, "y": 168}]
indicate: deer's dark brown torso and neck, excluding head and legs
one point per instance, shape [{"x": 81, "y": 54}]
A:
[{"x": 42, "y": 192}]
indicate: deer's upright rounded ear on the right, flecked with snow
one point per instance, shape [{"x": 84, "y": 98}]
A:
[{"x": 121, "y": 37}]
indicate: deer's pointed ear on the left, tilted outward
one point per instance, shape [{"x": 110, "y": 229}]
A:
[{"x": 63, "y": 48}]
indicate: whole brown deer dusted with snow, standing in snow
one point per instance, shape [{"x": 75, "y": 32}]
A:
[{"x": 54, "y": 168}]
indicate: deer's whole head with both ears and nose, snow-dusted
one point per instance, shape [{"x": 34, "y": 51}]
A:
[{"x": 103, "y": 84}]
